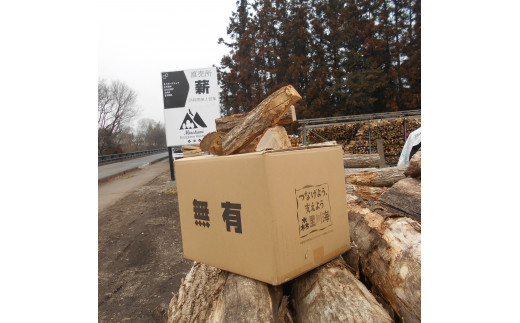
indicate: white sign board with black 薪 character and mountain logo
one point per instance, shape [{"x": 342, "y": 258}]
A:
[{"x": 191, "y": 105}]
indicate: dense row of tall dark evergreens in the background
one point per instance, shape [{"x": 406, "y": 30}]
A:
[{"x": 343, "y": 57}]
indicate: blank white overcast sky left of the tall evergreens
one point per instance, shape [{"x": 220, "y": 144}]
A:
[{"x": 139, "y": 39}]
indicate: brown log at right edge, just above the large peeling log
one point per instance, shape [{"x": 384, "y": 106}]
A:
[{"x": 404, "y": 197}]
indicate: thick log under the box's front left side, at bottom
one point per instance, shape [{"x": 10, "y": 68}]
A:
[{"x": 208, "y": 294}]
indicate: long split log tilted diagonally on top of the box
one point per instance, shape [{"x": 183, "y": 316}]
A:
[{"x": 265, "y": 115}]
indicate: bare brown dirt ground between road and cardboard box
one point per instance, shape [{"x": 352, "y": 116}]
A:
[{"x": 140, "y": 262}]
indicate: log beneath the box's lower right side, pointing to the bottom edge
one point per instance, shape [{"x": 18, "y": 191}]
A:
[{"x": 331, "y": 293}]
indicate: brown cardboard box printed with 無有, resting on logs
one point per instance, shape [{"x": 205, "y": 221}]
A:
[{"x": 267, "y": 215}]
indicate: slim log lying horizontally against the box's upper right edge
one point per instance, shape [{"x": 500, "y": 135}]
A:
[{"x": 375, "y": 176}]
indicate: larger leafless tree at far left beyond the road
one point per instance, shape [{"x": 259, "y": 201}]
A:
[{"x": 117, "y": 106}]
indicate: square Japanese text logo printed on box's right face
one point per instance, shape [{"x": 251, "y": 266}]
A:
[{"x": 313, "y": 208}]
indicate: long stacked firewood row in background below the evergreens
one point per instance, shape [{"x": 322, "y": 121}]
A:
[{"x": 360, "y": 137}]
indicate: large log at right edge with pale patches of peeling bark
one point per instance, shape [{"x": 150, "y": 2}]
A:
[{"x": 390, "y": 257}]
